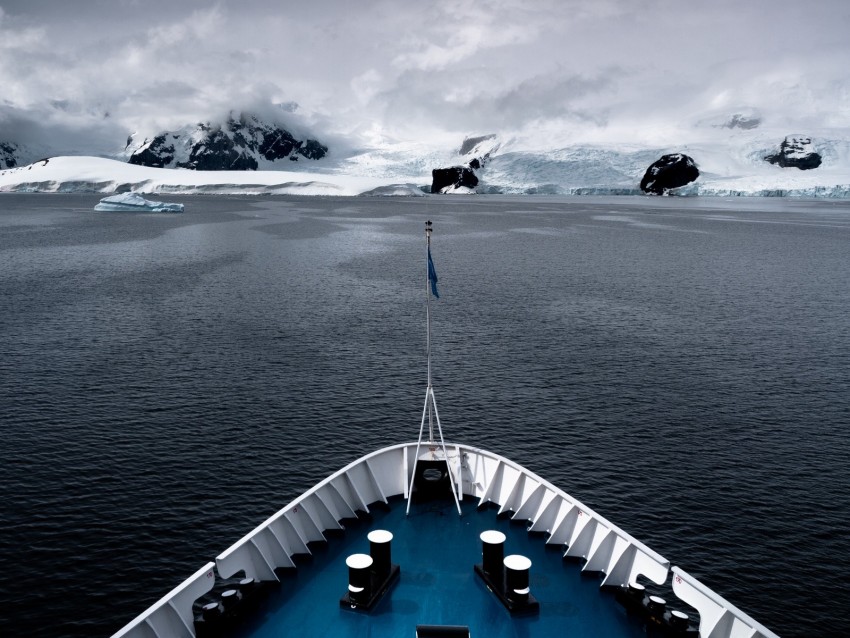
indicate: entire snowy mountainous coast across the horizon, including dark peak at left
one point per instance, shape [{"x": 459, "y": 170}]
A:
[{"x": 732, "y": 150}]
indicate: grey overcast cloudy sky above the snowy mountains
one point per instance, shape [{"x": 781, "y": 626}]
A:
[{"x": 399, "y": 69}]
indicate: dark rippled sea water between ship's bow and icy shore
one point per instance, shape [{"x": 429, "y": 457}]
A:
[{"x": 168, "y": 381}]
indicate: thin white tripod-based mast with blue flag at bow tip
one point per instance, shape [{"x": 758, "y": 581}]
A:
[{"x": 436, "y": 454}]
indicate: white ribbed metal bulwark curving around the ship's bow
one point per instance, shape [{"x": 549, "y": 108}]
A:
[{"x": 481, "y": 475}]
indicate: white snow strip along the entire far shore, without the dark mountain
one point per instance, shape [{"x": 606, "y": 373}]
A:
[{"x": 730, "y": 160}]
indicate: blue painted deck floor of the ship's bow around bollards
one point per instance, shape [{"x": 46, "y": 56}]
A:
[{"x": 436, "y": 550}]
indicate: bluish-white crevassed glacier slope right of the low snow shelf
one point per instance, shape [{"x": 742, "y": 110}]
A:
[{"x": 730, "y": 159}]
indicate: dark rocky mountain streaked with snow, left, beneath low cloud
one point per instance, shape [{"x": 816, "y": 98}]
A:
[{"x": 243, "y": 143}]
